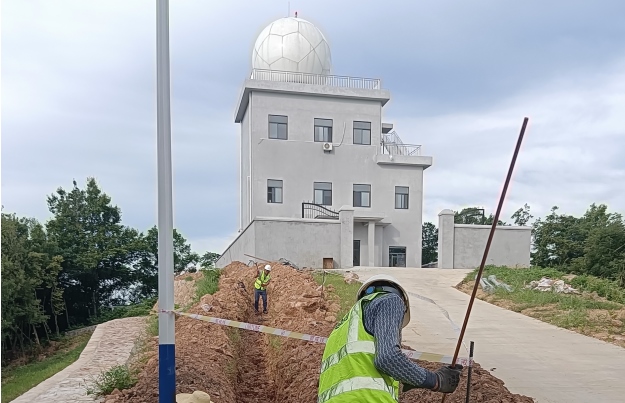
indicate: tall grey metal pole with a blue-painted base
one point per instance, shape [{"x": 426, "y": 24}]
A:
[{"x": 166, "y": 320}]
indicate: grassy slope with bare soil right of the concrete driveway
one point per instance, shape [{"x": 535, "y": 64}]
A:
[{"x": 598, "y": 312}]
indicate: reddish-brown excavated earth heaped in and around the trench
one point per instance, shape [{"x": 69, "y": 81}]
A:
[{"x": 236, "y": 365}]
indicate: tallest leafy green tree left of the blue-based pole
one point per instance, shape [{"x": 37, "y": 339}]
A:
[{"x": 97, "y": 249}]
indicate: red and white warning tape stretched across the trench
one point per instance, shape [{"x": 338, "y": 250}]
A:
[{"x": 414, "y": 355}]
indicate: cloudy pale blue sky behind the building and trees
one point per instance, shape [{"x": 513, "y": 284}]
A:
[{"x": 79, "y": 99}]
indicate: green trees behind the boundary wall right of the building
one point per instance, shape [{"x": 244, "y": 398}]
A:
[{"x": 591, "y": 244}]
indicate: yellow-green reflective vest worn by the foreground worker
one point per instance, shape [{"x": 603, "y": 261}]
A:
[{"x": 347, "y": 370}]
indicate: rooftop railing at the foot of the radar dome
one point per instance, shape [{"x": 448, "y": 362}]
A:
[{"x": 317, "y": 79}]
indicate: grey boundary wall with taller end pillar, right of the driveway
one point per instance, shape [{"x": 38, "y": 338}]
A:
[{"x": 461, "y": 246}]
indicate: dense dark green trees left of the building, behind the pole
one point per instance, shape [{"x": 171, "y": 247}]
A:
[{"x": 65, "y": 272}]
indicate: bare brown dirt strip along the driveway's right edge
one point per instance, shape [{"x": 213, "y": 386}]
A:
[{"x": 602, "y": 324}]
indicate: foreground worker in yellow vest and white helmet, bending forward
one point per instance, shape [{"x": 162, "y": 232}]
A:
[{"x": 363, "y": 361}]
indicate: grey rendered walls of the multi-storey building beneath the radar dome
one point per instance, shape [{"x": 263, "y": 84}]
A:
[{"x": 300, "y": 161}]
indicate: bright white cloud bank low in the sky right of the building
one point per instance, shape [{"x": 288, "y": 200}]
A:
[{"x": 571, "y": 155}]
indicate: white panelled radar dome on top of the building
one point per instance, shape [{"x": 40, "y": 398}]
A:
[{"x": 292, "y": 44}]
